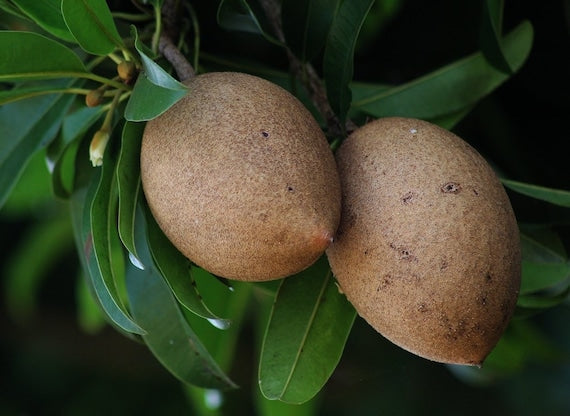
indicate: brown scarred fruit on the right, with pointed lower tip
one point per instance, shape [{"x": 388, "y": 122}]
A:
[{"x": 428, "y": 246}]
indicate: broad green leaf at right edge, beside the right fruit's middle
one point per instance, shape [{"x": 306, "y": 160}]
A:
[{"x": 542, "y": 267}]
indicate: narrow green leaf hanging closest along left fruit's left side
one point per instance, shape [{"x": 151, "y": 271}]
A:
[{"x": 129, "y": 183}]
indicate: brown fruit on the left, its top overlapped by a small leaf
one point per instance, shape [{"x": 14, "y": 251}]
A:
[{"x": 240, "y": 178}]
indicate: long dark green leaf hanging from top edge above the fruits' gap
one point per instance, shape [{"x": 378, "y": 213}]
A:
[{"x": 338, "y": 65}]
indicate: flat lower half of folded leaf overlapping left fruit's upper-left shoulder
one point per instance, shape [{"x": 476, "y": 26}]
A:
[{"x": 148, "y": 100}]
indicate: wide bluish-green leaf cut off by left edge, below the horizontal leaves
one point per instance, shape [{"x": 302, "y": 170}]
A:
[{"x": 38, "y": 122}]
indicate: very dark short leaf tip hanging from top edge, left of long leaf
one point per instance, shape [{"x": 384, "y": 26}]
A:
[{"x": 306, "y": 25}]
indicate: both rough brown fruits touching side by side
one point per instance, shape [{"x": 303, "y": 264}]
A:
[{"x": 241, "y": 179}]
